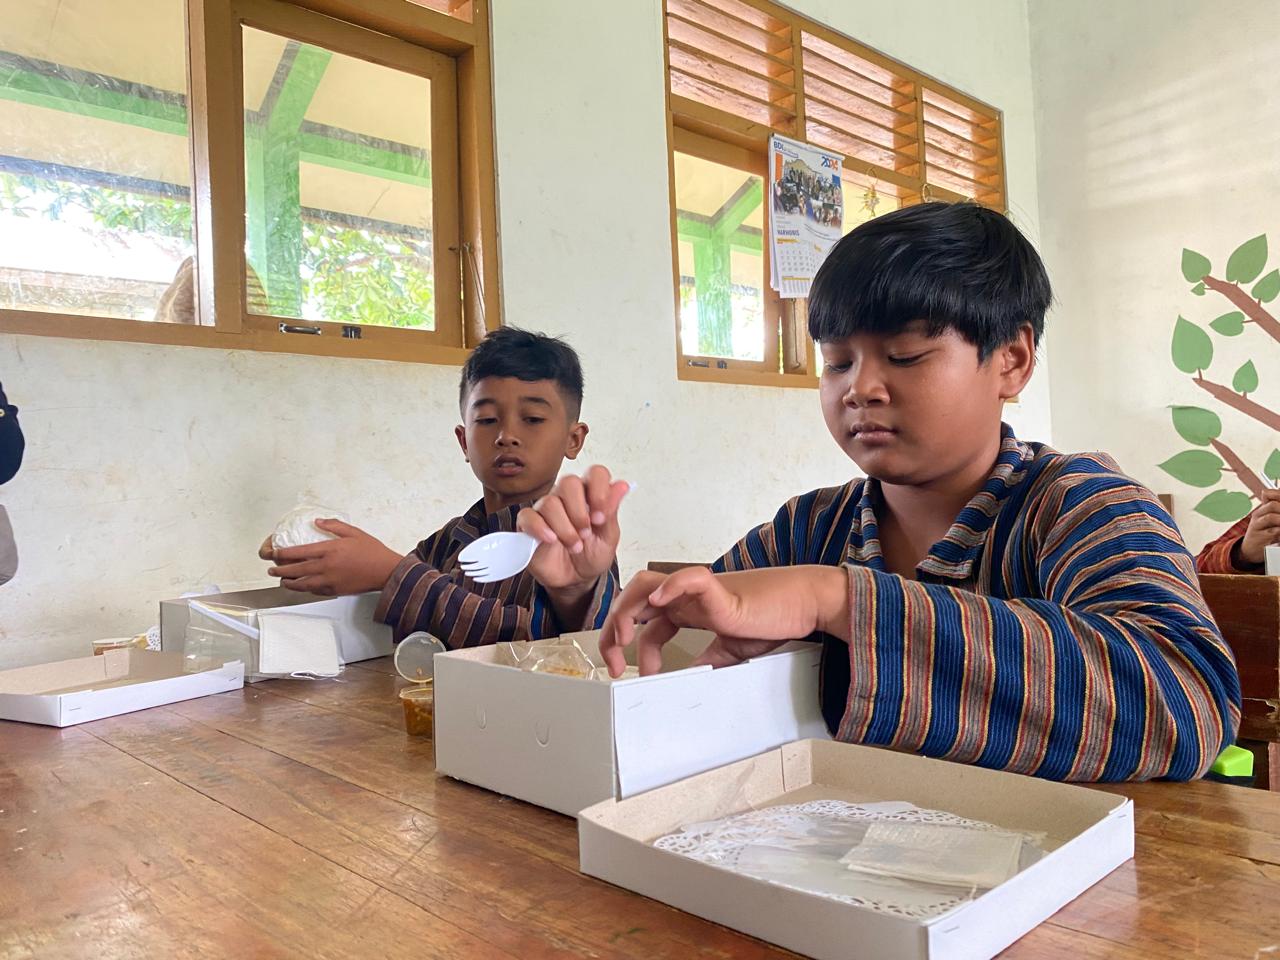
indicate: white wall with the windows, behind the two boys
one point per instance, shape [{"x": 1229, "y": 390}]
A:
[{"x": 153, "y": 469}]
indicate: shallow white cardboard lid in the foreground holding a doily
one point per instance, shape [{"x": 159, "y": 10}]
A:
[{"x": 1090, "y": 835}]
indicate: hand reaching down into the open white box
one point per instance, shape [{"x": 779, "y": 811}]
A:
[{"x": 751, "y": 612}]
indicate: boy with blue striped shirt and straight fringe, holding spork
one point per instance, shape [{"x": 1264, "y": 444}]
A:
[{"x": 980, "y": 598}]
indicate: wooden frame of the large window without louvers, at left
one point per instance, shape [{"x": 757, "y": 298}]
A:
[{"x": 452, "y": 52}]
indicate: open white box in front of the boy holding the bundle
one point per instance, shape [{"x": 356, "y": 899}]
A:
[{"x": 360, "y": 638}]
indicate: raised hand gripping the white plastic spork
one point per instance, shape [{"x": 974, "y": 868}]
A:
[{"x": 578, "y": 525}]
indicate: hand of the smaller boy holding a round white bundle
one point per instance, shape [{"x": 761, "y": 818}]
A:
[{"x": 354, "y": 564}]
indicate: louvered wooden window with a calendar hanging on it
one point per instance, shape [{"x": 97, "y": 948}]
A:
[{"x": 743, "y": 70}]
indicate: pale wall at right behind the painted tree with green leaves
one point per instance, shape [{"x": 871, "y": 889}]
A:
[{"x": 1159, "y": 129}]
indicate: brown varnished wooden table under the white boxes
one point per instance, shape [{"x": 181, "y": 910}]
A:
[{"x": 296, "y": 820}]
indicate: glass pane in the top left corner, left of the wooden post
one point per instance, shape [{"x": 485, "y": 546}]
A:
[{"x": 95, "y": 171}]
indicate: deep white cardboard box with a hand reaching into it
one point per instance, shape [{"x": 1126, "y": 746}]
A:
[{"x": 566, "y": 743}]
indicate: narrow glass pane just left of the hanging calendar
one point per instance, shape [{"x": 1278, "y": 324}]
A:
[{"x": 720, "y": 225}]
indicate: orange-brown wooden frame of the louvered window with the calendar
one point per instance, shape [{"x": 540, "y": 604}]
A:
[{"x": 717, "y": 135}]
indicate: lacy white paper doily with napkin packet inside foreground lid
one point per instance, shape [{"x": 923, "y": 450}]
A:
[{"x": 890, "y": 857}]
